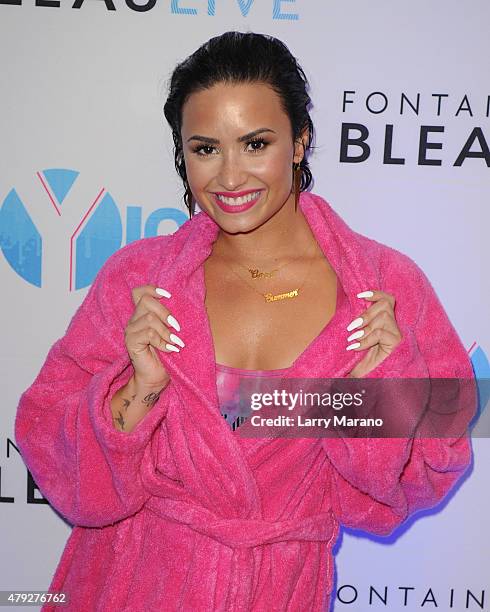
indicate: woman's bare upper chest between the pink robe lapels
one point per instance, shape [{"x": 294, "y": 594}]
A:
[{"x": 249, "y": 332}]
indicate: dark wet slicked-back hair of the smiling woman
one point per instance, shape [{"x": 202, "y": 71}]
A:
[{"x": 240, "y": 57}]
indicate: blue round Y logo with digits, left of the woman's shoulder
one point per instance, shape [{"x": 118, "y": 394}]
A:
[{"x": 88, "y": 217}]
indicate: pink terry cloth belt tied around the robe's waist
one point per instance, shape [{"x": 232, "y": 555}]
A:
[{"x": 242, "y": 532}]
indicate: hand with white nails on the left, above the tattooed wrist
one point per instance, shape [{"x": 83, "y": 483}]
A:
[{"x": 149, "y": 330}]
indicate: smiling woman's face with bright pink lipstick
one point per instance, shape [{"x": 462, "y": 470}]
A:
[{"x": 236, "y": 138}]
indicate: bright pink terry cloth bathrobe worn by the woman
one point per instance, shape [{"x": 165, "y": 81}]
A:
[{"x": 184, "y": 514}]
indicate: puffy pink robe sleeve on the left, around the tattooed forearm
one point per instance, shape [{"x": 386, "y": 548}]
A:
[{"x": 83, "y": 466}]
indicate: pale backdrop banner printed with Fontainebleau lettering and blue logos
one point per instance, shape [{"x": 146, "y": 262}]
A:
[{"x": 401, "y": 106}]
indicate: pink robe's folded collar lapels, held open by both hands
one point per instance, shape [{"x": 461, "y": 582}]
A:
[{"x": 193, "y": 369}]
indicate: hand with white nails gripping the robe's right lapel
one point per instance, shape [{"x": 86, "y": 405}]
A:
[{"x": 375, "y": 330}]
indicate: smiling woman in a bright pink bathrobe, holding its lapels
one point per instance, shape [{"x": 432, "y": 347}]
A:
[{"x": 128, "y": 429}]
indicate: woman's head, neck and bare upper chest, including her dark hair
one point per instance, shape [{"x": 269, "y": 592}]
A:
[{"x": 237, "y": 154}]
